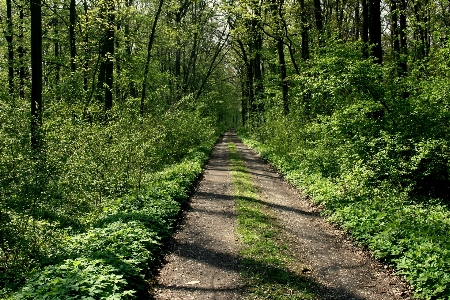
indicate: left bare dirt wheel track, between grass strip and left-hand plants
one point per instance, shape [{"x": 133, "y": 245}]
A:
[{"x": 203, "y": 263}]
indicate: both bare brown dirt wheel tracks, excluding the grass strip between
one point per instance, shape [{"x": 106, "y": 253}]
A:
[{"x": 204, "y": 262}]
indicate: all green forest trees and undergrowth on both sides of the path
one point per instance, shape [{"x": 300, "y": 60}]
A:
[{"x": 110, "y": 108}]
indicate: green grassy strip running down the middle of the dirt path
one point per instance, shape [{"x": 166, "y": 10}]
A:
[{"x": 265, "y": 262}]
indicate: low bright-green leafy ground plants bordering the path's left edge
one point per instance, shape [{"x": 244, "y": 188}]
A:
[{"x": 114, "y": 256}]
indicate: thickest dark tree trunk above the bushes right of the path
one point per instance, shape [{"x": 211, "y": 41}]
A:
[{"x": 375, "y": 31}]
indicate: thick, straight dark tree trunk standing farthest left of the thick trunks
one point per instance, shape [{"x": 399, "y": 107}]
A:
[{"x": 36, "y": 74}]
